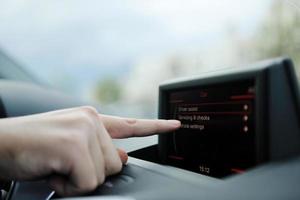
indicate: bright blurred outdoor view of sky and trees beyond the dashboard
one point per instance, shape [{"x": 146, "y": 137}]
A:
[{"x": 115, "y": 53}]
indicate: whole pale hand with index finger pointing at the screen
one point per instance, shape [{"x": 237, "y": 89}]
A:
[{"x": 71, "y": 148}]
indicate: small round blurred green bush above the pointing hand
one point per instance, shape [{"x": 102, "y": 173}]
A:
[{"x": 108, "y": 91}]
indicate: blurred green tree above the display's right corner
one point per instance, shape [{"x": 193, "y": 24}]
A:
[{"x": 279, "y": 33}]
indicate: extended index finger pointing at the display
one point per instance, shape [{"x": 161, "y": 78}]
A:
[{"x": 119, "y": 127}]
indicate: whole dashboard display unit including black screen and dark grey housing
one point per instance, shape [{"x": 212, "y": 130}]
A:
[{"x": 232, "y": 120}]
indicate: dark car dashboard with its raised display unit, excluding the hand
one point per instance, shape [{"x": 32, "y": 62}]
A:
[{"x": 239, "y": 138}]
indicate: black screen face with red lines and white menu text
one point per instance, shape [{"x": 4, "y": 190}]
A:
[{"x": 216, "y": 137}]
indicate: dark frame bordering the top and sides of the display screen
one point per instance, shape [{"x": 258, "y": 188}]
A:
[{"x": 259, "y": 78}]
